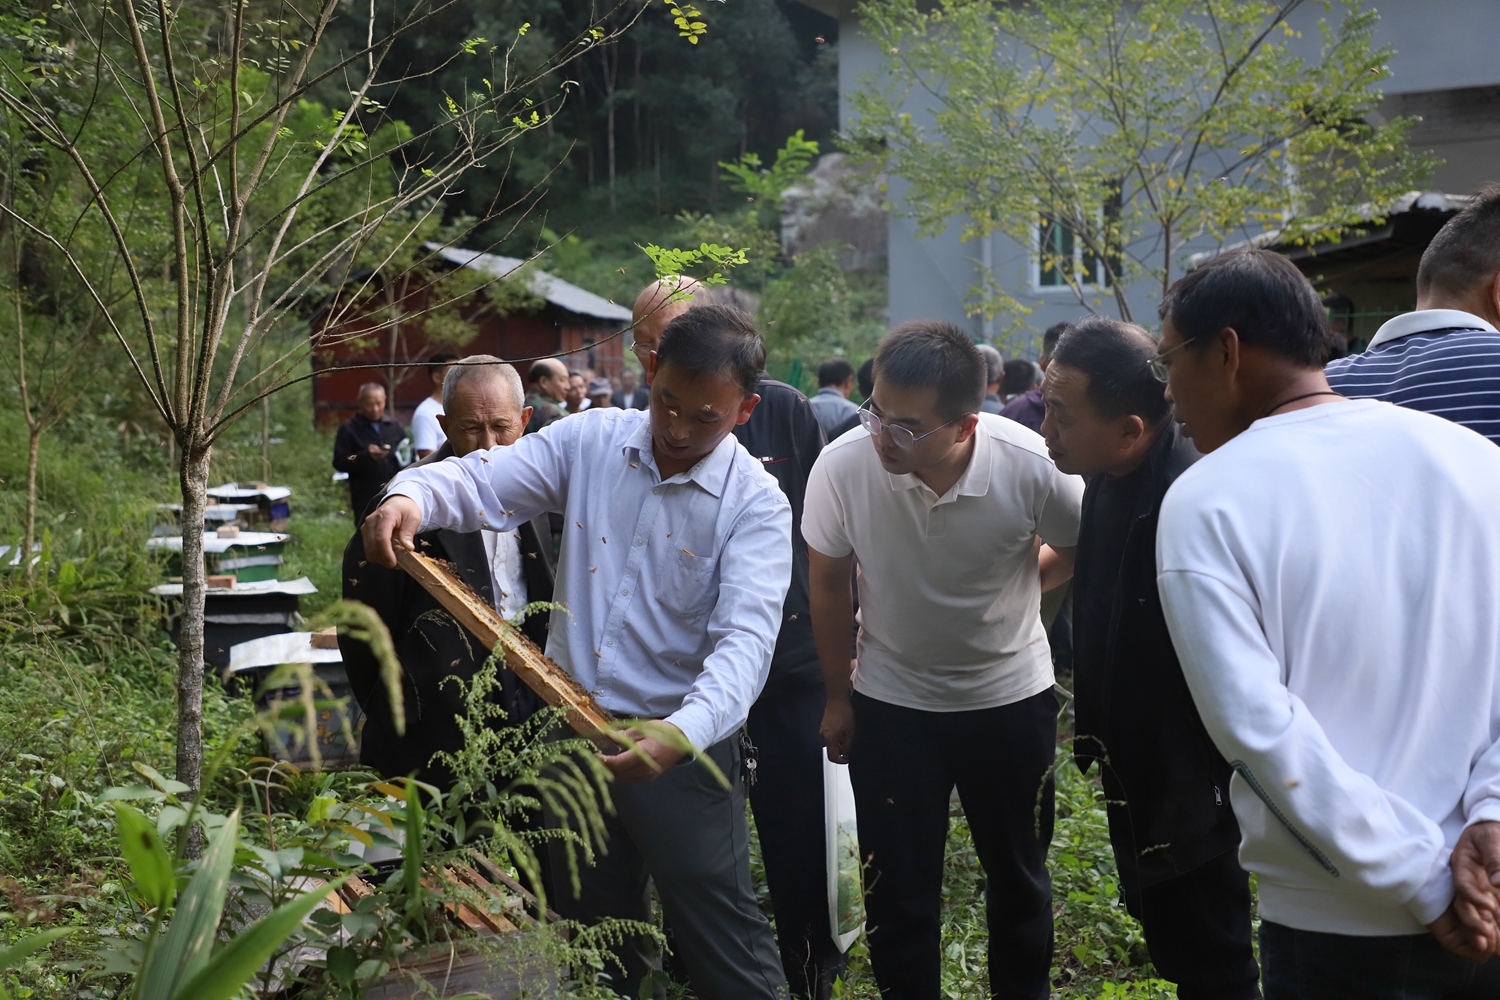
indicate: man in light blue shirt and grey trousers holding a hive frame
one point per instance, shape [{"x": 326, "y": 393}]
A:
[{"x": 676, "y": 561}]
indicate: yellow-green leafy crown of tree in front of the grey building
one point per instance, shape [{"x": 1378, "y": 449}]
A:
[{"x": 1138, "y": 127}]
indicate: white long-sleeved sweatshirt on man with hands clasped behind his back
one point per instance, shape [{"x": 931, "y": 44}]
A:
[{"x": 1331, "y": 579}]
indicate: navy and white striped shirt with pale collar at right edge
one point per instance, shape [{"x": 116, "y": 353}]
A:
[{"x": 1444, "y": 362}]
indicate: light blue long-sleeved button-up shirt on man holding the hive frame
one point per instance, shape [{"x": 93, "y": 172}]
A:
[{"x": 673, "y": 588}]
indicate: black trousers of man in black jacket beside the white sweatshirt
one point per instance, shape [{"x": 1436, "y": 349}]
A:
[{"x": 1198, "y": 930}]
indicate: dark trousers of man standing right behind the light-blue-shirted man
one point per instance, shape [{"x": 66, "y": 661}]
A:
[{"x": 788, "y": 806}]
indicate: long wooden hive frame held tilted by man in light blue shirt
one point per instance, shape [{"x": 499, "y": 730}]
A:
[{"x": 521, "y": 656}]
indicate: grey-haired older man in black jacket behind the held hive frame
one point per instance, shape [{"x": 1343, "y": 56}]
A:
[{"x": 484, "y": 410}]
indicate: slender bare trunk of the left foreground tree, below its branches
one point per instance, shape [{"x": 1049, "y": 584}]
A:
[{"x": 194, "y": 479}]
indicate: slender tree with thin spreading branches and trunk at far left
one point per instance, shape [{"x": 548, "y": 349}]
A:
[{"x": 227, "y": 203}]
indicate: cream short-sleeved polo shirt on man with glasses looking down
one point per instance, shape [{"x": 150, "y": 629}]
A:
[{"x": 949, "y": 593}]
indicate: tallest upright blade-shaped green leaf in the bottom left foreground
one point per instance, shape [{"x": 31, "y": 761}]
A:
[{"x": 190, "y": 939}]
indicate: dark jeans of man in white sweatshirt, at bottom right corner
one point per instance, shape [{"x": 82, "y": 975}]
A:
[{"x": 1315, "y": 966}]
